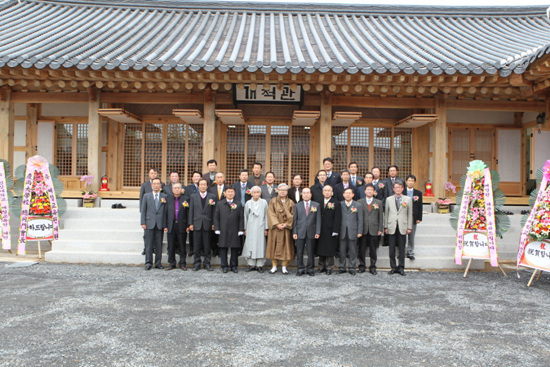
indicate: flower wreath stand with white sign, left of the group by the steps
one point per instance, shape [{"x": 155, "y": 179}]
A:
[{"x": 39, "y": 211}]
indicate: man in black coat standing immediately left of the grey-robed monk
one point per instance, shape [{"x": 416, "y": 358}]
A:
[{"x": 229, "y": 226}]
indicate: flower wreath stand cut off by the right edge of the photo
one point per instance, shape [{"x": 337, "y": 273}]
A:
[{"x": 534, "y": 246}]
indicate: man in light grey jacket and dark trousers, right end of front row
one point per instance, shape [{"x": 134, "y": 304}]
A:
[{"x": 398, "y": 224}]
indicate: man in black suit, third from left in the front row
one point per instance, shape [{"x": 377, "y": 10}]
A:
[{"x": 200, "y": 219}]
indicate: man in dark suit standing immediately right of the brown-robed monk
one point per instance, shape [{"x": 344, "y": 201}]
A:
[{"x": 306, "y": 229}]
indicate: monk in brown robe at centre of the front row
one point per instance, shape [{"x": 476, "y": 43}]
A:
[{"x": 280, "y": 215}]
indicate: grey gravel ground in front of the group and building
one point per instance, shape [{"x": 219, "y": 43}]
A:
[{"x": 91, "y": 315}]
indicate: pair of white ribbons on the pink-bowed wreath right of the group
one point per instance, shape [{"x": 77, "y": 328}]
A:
[{"x": 489, "y": 215}]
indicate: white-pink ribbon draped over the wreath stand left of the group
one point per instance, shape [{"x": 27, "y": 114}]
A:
[{"x": 36, "y": 164}]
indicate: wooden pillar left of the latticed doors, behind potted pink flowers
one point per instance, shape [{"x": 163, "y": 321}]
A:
[{"x": 94, "y": 137}]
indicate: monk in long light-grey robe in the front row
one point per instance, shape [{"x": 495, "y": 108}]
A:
[{"x": 255, "y": 229}]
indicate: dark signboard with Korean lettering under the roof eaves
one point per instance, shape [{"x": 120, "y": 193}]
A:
[{"x": 272, "y": 94}]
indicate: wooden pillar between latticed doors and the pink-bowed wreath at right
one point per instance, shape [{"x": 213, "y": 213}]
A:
[{"x": 440, "y": 147}]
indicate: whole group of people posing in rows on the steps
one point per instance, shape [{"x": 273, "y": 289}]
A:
[{"x": 341, "y": 215}]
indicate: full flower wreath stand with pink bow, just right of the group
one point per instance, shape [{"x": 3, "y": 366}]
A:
[{"x": 476, "y": 219}]
